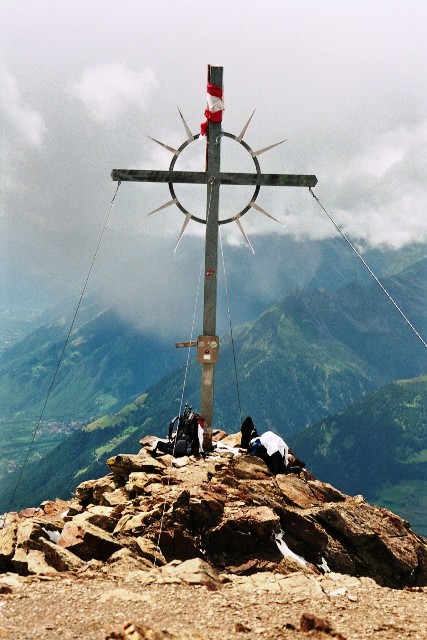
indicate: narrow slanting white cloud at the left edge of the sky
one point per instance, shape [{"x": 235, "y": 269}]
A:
[{"x": 28, "y": 122}]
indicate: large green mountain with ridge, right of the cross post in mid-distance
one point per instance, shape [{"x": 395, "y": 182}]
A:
[{"x": 317, "y": 351}]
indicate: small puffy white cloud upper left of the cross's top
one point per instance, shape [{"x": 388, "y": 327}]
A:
[{"x": 108, "y": 90}]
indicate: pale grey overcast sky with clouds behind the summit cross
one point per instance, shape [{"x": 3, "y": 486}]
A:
[{"x": 82, "y": 85}]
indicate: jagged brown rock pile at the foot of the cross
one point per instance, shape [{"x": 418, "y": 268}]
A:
[{"x": 226, "y": 510}]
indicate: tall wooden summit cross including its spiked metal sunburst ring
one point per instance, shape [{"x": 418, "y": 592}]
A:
[{"x": 213, "y": 178}]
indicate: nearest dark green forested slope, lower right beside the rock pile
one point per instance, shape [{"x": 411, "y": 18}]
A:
[{"x": 376, "y": 447}]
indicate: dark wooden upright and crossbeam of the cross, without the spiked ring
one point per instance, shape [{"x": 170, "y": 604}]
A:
[{"x": 213, "y": 178}]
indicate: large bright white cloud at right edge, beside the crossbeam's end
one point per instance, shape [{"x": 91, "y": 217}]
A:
[{"x": 389, "y": 206}]
